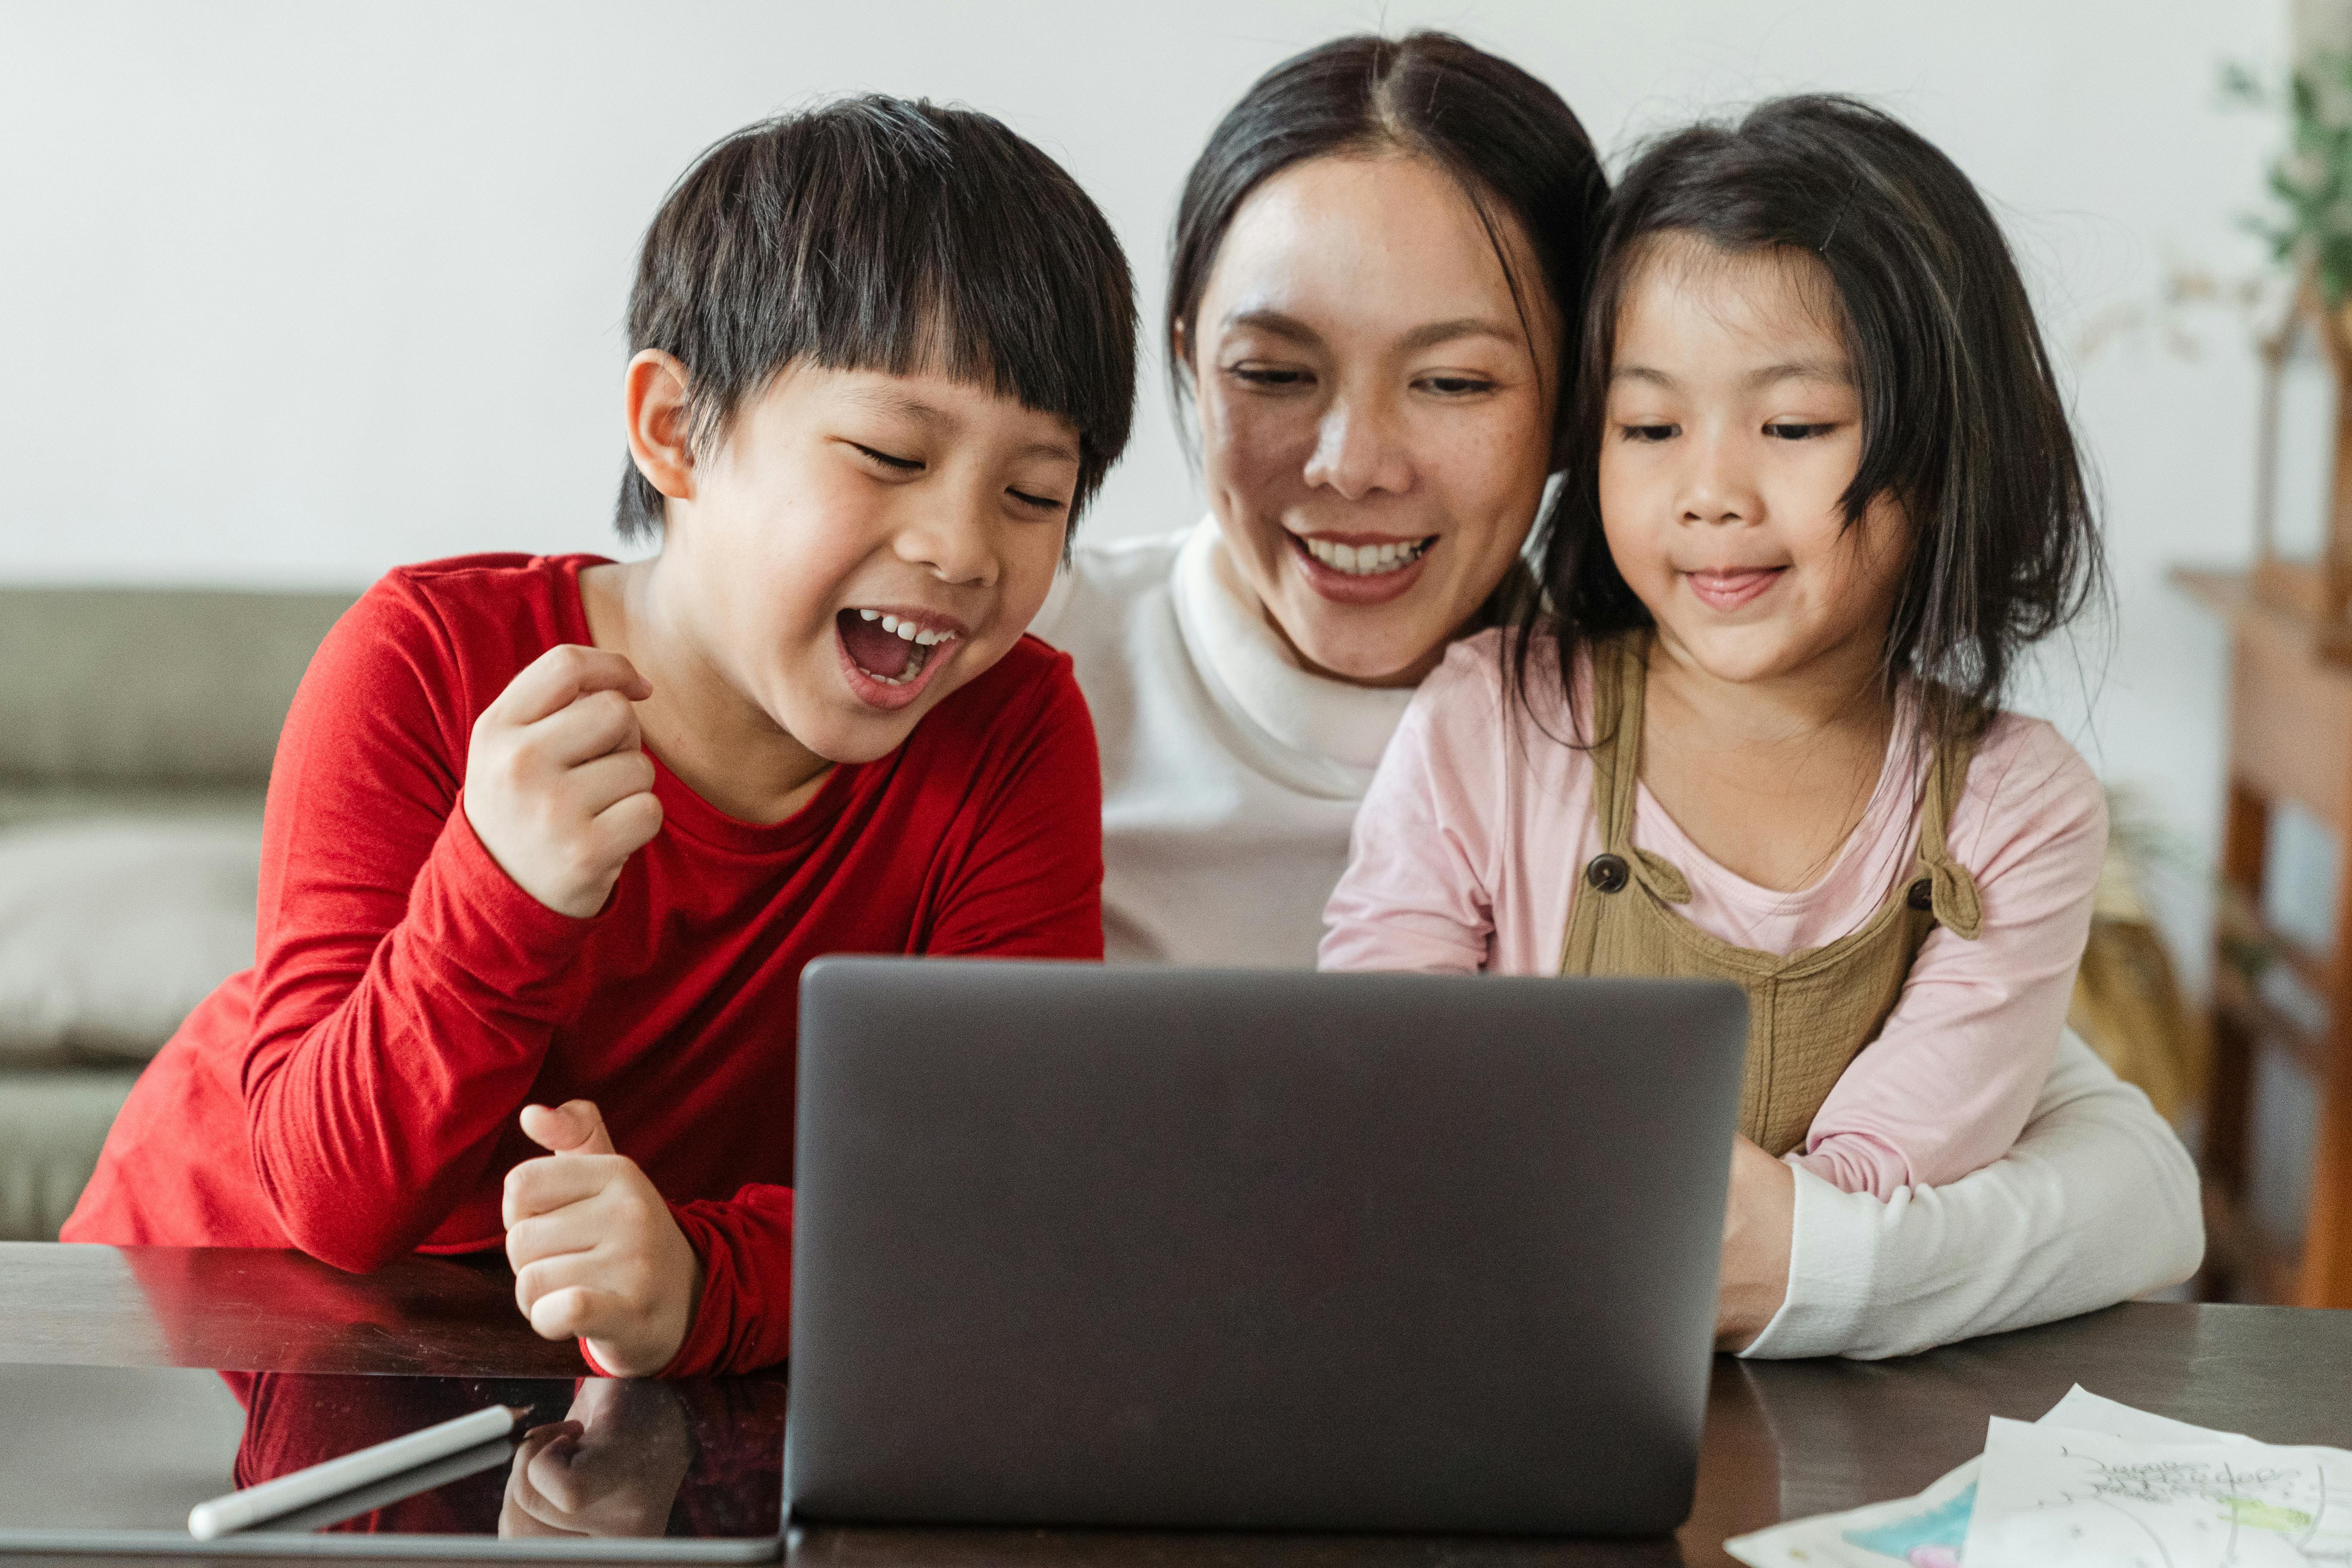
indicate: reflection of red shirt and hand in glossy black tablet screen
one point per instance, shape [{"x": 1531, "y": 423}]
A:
[{"x": 596, "y": 1456}]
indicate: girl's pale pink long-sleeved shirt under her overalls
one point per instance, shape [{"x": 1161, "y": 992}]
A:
[{"x": 1478, "y": 826}]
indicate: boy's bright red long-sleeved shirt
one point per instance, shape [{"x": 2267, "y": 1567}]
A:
[{"x": 356, "y": 1092}]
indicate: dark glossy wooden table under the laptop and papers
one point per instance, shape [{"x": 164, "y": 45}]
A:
[{"x": 1784, "y": 1438}]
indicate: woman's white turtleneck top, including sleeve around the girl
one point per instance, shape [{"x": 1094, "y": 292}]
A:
[{"x": 1231, "y": 782}]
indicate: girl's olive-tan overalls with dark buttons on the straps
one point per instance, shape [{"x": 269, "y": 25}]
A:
[{"x": 1808, "y": 1012}]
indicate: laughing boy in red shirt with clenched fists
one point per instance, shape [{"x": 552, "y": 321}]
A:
[{"x": 556, "y": 829}]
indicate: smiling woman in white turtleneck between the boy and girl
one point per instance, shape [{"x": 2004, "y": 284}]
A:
[{"x": 1377, "y": 262}]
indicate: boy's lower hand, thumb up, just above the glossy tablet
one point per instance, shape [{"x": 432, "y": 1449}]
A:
[{"x": 596, "y": 1249}]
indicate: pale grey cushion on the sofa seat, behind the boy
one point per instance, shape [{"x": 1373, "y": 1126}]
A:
[{"x": 112, "y": 930}]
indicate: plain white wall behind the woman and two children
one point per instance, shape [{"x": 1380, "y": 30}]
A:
[{"x": 300, "y": 293}]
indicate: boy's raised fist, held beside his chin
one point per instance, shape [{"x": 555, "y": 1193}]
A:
[{"x": 559, "y": 784}]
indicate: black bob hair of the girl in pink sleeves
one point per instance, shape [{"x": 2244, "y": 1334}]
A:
[{"x": 1963, "y": 422}]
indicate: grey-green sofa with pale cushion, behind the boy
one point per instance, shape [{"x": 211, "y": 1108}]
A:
[{"x": 133, "y": 725}]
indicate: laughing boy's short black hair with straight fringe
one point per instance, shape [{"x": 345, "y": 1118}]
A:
[{"x": 893, "y": 236}]
